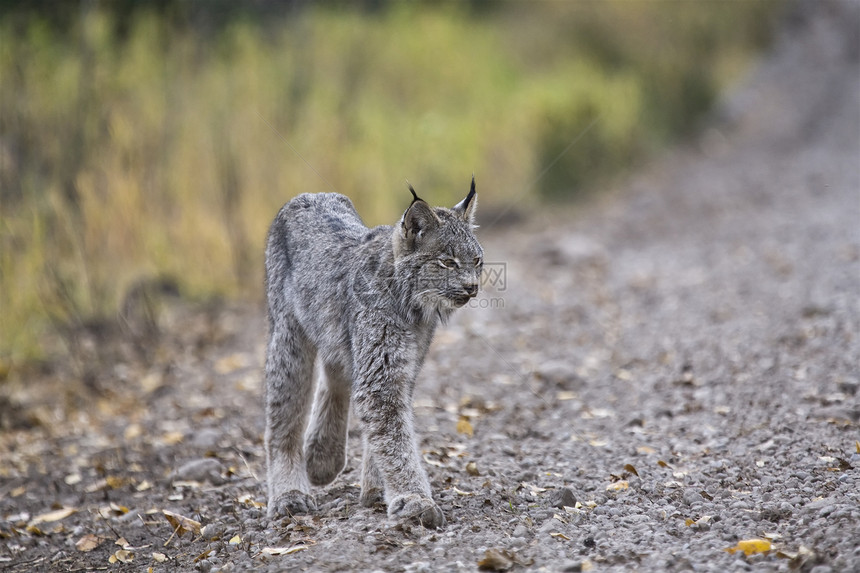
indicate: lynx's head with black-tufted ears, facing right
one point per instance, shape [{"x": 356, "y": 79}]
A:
[{"x": 437, "y": 248}]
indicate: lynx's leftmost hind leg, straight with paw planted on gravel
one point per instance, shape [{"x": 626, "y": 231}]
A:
[{"x": 289, "y": 389}]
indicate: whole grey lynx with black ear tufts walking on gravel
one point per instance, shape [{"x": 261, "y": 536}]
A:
[{"x": 364, "y": 303}]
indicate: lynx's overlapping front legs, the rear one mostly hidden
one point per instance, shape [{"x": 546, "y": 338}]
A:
[{"x": 386, "y": 365}]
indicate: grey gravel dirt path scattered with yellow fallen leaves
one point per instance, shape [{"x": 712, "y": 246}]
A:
[{"x": 660, "y": 376}]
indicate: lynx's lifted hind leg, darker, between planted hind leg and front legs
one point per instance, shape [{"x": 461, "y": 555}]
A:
[{"x": 325, "y": 441}]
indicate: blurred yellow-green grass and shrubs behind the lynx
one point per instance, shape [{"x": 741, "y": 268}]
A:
[{"x": 152, "y": 143}]
